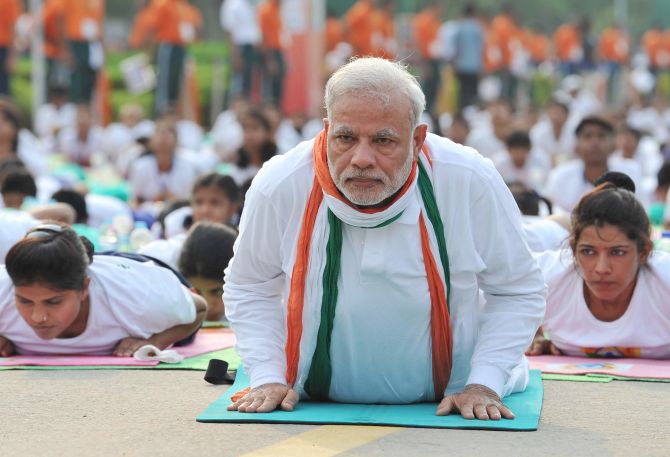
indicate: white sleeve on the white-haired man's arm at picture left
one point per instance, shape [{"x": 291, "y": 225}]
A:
[{"x": 253, "y": 288}]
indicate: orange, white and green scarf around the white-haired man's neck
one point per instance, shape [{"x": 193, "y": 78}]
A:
[{"x": 323, "y": 227}]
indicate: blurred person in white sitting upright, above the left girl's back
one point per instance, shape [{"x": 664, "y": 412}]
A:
[{"x": 162, "y": 173}]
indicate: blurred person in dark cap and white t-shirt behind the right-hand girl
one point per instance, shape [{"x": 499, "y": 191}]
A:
[{"x": 568, "y": 182}]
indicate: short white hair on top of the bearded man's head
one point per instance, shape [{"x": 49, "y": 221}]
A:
[{"x": 378, "y": 78}]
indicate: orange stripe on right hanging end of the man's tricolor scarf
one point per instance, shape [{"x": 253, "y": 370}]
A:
[{"x": 440, "y": 322}]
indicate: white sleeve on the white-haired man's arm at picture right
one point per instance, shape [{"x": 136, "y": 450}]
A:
[{"x": 512, "y": 283}]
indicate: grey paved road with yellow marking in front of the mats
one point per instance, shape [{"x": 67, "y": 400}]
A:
[{"x": 147, "y": 413}]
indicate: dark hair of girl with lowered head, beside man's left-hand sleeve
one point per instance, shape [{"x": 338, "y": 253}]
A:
[{"x": 207, "y": 250}]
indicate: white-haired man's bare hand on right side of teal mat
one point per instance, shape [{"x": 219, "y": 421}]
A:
[{"x": 476, "y": 401}]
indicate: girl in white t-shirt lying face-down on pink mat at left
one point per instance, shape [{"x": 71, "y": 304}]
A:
[{"x": 57, "y": 298}]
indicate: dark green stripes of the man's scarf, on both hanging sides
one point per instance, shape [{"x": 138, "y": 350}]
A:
[{"x": 318, "y": 381}]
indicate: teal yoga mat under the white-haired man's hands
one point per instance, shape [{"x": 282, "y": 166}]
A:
[{"x": 526, "y": 406}]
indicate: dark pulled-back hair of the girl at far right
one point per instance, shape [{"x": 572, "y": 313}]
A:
[{"x": 608, "y": 204}]
